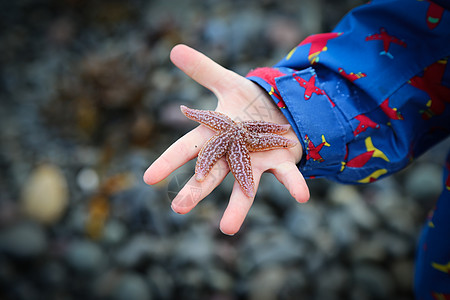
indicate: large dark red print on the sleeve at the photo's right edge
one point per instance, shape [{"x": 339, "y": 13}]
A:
[{"x": 430, "y": 82}]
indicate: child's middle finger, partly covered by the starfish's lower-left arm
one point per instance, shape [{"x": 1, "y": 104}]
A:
[{"x": 194, "y": 191}]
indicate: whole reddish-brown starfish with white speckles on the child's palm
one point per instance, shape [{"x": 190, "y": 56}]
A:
[{"x": 235, "y": 141}]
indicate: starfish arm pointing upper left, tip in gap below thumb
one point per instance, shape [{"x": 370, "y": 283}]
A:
[{"x": 212, "y": 119}]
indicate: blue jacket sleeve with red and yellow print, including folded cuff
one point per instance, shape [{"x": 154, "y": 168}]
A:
[{"x": 370, "y": 96}]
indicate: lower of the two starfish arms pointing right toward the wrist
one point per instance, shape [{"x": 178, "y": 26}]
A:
[{"x": 267, "y": 141}]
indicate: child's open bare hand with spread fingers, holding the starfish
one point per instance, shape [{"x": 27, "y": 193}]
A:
[{"x": 242, "y": 100}]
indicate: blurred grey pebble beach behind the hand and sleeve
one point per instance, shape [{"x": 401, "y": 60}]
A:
[{"x": 89, "y": 99}]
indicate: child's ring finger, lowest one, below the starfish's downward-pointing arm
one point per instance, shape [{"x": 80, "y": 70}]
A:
[{"x": 237, "y": 208}]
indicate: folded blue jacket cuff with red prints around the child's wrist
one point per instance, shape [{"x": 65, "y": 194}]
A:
[{"x": 311, "y": 112}]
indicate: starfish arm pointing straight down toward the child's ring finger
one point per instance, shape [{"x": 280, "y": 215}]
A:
[{"x": 238, "y": 158}]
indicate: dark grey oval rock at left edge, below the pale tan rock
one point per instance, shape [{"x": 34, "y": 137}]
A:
[{"x": 23, "y": 240}]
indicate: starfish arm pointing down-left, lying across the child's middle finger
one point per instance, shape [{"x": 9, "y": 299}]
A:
[{"x": 211, "y": 152}]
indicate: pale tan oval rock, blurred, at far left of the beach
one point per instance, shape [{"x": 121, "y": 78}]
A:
[{"x": 45, "y": 196}]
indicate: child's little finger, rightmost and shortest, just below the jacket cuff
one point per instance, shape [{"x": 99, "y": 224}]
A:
[{"x": 289, "y": 175}]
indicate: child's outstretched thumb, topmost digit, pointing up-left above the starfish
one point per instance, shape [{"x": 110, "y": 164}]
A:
[{"x": 200, "y": 68}]
